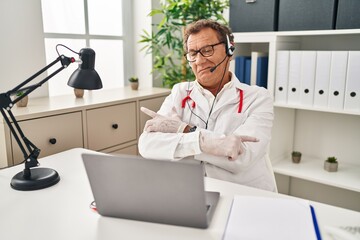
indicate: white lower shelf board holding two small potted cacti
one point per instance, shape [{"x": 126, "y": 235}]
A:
[{"x": 311, "y": 169}]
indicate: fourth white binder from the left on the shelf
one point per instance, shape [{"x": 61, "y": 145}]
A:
[{"x": 322, "y": 78}]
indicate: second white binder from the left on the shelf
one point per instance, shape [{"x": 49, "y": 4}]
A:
[{"x": 294, "y": 78}]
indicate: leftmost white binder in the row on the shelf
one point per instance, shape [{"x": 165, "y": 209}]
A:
[{"x": 282, "y": 76}]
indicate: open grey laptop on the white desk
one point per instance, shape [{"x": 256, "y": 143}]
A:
[{"x": 167, "y": 192}]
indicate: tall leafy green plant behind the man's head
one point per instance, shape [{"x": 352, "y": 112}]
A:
[{"x": 166, "y": 44}]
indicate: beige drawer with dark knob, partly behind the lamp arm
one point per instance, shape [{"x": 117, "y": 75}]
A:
[{"x": 64, "y": 131}]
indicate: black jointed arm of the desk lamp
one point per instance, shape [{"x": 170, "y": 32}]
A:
[{"x": 29, "y": 150}]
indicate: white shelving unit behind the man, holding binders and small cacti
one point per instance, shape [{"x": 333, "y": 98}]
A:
[{"x": 318, "y": 132}]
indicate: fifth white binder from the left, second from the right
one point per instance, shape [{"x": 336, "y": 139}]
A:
[{"x": 337, "y": 79}]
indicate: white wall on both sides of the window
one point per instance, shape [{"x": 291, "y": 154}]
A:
[{"x": 22, "y": 43}]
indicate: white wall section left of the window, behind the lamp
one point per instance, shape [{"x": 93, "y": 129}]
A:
[{"x": 21, "y": 43}]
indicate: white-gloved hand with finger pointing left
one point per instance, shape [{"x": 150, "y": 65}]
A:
[{"x": 160, "y": 123}]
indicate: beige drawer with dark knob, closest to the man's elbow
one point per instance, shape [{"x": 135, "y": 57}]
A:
[{"x": 110, "y": 126}]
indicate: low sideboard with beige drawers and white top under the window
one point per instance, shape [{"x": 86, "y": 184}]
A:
[{"x": 104, "y": 120}]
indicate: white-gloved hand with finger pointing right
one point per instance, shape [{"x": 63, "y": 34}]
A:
[{"x": 228, "y": 146}]
